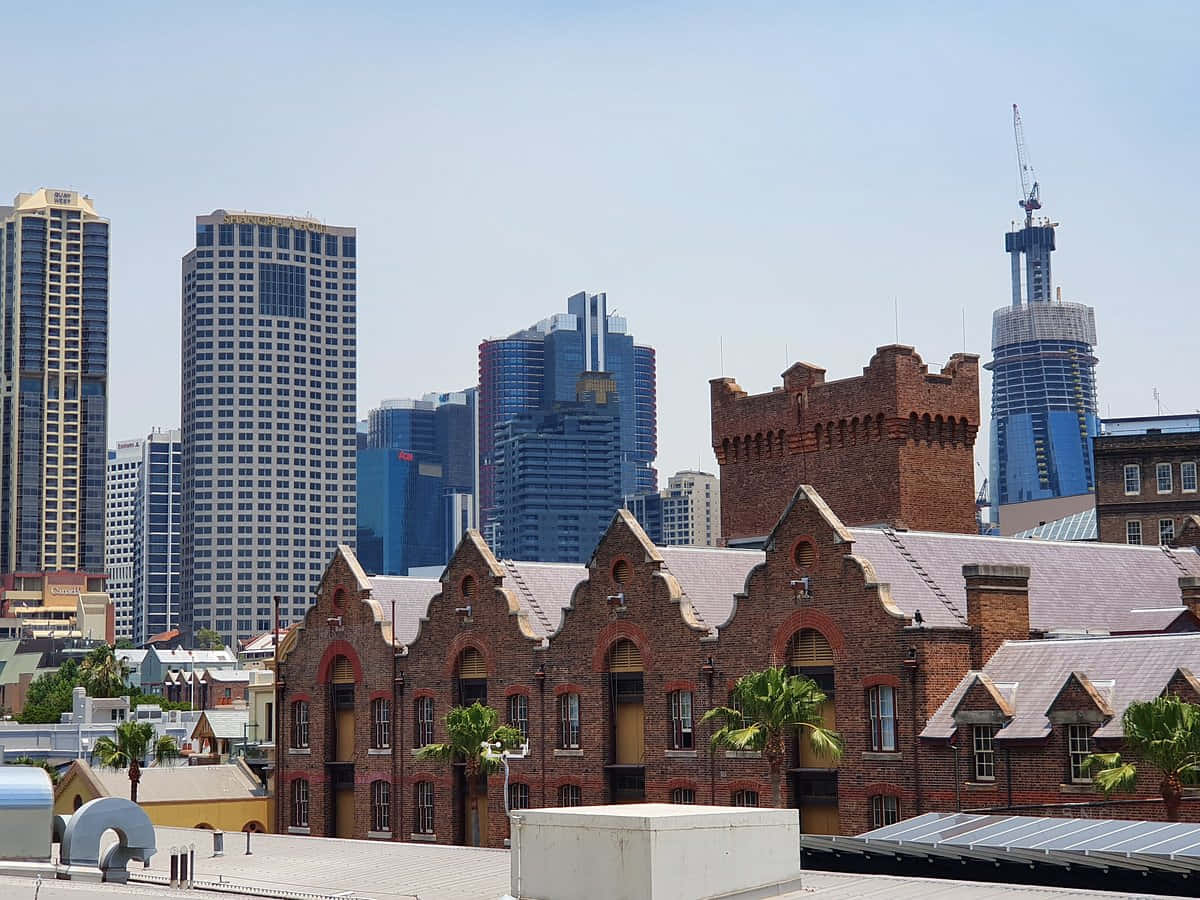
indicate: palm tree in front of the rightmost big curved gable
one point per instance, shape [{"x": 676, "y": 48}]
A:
[{"x": 767, "y": 706}]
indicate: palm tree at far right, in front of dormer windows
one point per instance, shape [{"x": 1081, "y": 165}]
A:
[{"x": 1166, "y": 734}]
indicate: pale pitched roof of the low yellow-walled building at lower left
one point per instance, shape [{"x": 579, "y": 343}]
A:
[{"x": 176, "y": 784}]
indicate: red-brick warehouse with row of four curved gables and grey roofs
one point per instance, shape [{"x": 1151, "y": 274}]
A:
[{"x": 609, "y": 667}]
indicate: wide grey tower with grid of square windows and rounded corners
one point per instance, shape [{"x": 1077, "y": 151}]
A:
[{"x": 268, "y": 417}]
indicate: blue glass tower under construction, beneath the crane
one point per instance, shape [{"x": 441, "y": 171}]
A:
[{"x": 1043, "y": 391}]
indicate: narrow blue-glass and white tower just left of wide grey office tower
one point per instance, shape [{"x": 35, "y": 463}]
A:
[{"x": 157, "y": 535}]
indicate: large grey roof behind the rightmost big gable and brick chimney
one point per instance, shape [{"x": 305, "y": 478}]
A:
[{"x": 1112, "y": 587}]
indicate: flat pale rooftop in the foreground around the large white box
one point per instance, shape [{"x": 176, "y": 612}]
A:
[{"x": 287, "y": 867}]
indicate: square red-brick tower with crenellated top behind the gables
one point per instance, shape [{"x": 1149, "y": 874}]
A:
[{"x": 893, "y": 446}]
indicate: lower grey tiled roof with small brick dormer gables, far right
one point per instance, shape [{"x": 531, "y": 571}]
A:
[{"x": 1030, "y": 675}]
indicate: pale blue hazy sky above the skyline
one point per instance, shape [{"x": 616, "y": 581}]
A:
[{"x": 752, "y": 184}]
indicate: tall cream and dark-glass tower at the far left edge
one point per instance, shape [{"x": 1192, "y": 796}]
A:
[{"x": 55, "y": 323}]
